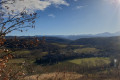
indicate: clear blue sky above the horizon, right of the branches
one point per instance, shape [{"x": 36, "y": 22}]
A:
[{"x": 79, "y": 17}]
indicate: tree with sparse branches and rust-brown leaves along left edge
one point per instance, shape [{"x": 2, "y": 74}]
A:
[{"x": 11, "y": 20}]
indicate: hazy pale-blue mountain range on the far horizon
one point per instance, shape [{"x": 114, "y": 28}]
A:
[{"x": 75, "y": 37}]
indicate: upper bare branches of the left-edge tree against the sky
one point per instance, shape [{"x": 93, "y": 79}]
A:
[{"x": 11, "y": 20}]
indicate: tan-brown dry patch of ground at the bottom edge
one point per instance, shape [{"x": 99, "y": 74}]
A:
[{"x": 55, "y": 76}]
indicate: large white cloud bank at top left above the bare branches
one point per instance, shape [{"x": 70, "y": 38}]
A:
[{"x": 33, "y": 5}]
